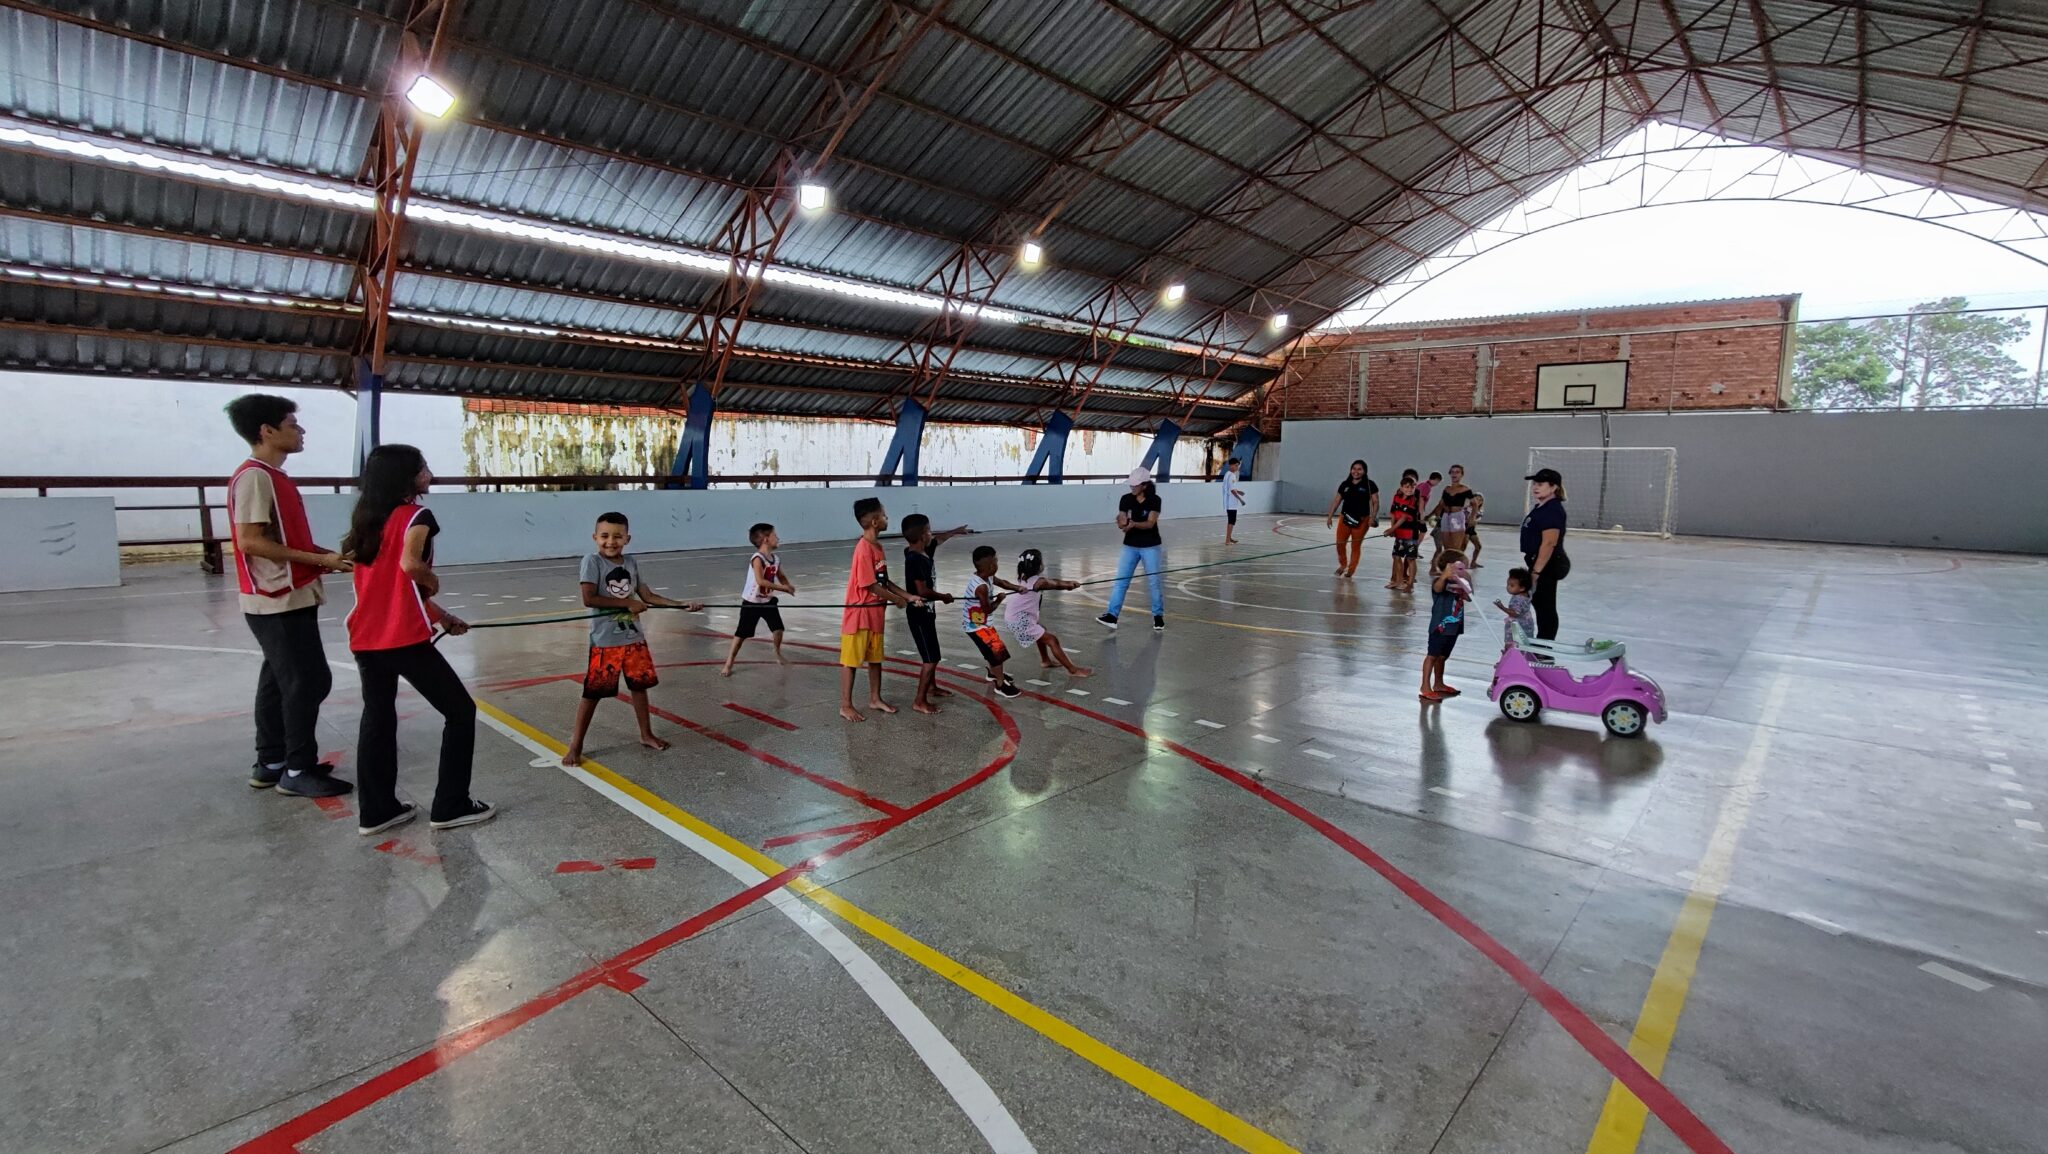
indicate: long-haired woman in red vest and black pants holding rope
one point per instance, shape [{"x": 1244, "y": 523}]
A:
[{"x": 392, "y": 636}]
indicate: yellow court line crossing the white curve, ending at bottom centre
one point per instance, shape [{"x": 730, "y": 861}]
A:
[{"x": 1121, "y": 1067}]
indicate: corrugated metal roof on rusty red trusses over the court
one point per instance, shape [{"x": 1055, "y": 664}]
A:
[{"x": 1326, "y": 163}]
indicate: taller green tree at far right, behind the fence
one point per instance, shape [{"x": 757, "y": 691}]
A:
[{"x": 1947, "y": 356}]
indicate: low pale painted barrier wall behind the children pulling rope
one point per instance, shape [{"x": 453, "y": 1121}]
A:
[{"x": 531, "y": 526}]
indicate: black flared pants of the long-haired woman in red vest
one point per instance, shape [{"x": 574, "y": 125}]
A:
[{"x": 427, "y": 671}]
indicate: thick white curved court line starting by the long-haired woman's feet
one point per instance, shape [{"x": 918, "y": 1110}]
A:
[{"x": 933, "y": 1048}]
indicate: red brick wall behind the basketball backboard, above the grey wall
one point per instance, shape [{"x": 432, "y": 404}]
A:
[{"x": 1687, "y": 356}]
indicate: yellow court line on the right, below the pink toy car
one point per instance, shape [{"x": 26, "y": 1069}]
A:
[{"x": 1623, "y": 1116}]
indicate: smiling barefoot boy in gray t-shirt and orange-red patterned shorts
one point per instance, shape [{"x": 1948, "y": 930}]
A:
[{"x": 613, "y": 587}]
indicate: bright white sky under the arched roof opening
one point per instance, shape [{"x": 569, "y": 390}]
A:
[{"x": 1844, "y": 261}]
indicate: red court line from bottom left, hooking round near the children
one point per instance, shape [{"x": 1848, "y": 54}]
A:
[{"x": 615, "y": 973}]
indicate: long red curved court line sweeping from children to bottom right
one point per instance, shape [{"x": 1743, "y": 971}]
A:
[{"x": 1578, "y": 1024}]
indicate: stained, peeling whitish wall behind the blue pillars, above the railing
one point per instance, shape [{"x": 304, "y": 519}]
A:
[{"x": 579, "y": 440}]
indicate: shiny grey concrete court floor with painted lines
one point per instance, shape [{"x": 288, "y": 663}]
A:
[{"x": 1854, "y": 751}]
